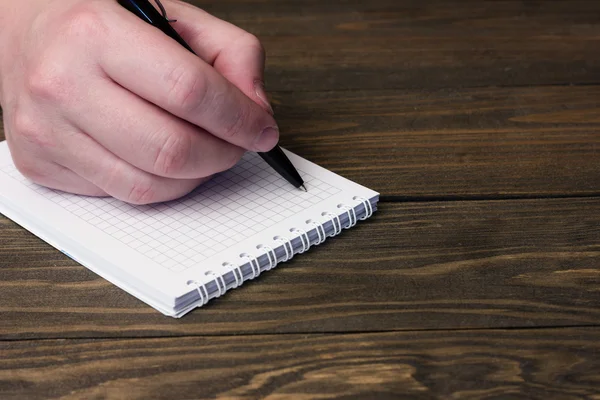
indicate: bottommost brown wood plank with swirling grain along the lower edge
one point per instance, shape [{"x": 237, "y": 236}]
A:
[{"x": 534, "y": 364}]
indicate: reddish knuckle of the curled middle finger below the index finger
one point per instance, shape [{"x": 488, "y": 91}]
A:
[{"x": 172, "y": 157}]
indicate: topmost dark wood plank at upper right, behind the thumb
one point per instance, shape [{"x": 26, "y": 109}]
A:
[{"x": 332, "y": 45}]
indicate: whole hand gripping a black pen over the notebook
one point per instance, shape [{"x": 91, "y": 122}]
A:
[{"x": 98, "y": 102}]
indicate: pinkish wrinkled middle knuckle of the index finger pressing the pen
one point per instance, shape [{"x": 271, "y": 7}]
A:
[{"x": 187, "y": 89}]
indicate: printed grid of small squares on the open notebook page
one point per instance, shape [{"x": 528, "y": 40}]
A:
[{"x": 230, "y": 208}]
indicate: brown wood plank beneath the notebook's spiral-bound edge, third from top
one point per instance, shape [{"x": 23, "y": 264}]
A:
[{"x": 447, "y": 265}]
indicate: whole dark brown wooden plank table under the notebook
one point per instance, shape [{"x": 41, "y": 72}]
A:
[{"x": 479, "y": 276}]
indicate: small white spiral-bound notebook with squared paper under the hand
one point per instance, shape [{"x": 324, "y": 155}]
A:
[{"x": 178, "y": 255}]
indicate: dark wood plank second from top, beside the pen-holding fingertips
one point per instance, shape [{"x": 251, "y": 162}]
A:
[{"x": 494, "y": 142}]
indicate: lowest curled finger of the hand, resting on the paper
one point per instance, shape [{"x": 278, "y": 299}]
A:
[{"x": 116, "y": 177}]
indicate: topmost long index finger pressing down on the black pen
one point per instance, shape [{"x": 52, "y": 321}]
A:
[{"x": 156, "y": 68}]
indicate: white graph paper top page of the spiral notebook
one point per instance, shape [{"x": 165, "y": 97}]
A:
[{"x": 246, "y": 205}]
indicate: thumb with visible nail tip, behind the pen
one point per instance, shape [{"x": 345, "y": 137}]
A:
[{"x": 236, "y": 54}]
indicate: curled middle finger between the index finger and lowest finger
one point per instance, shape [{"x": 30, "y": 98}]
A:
[{"x": 148, "y": 137}]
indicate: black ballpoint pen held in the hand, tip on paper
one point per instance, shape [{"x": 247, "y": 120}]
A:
[{"x": 276, "y": 158}]
